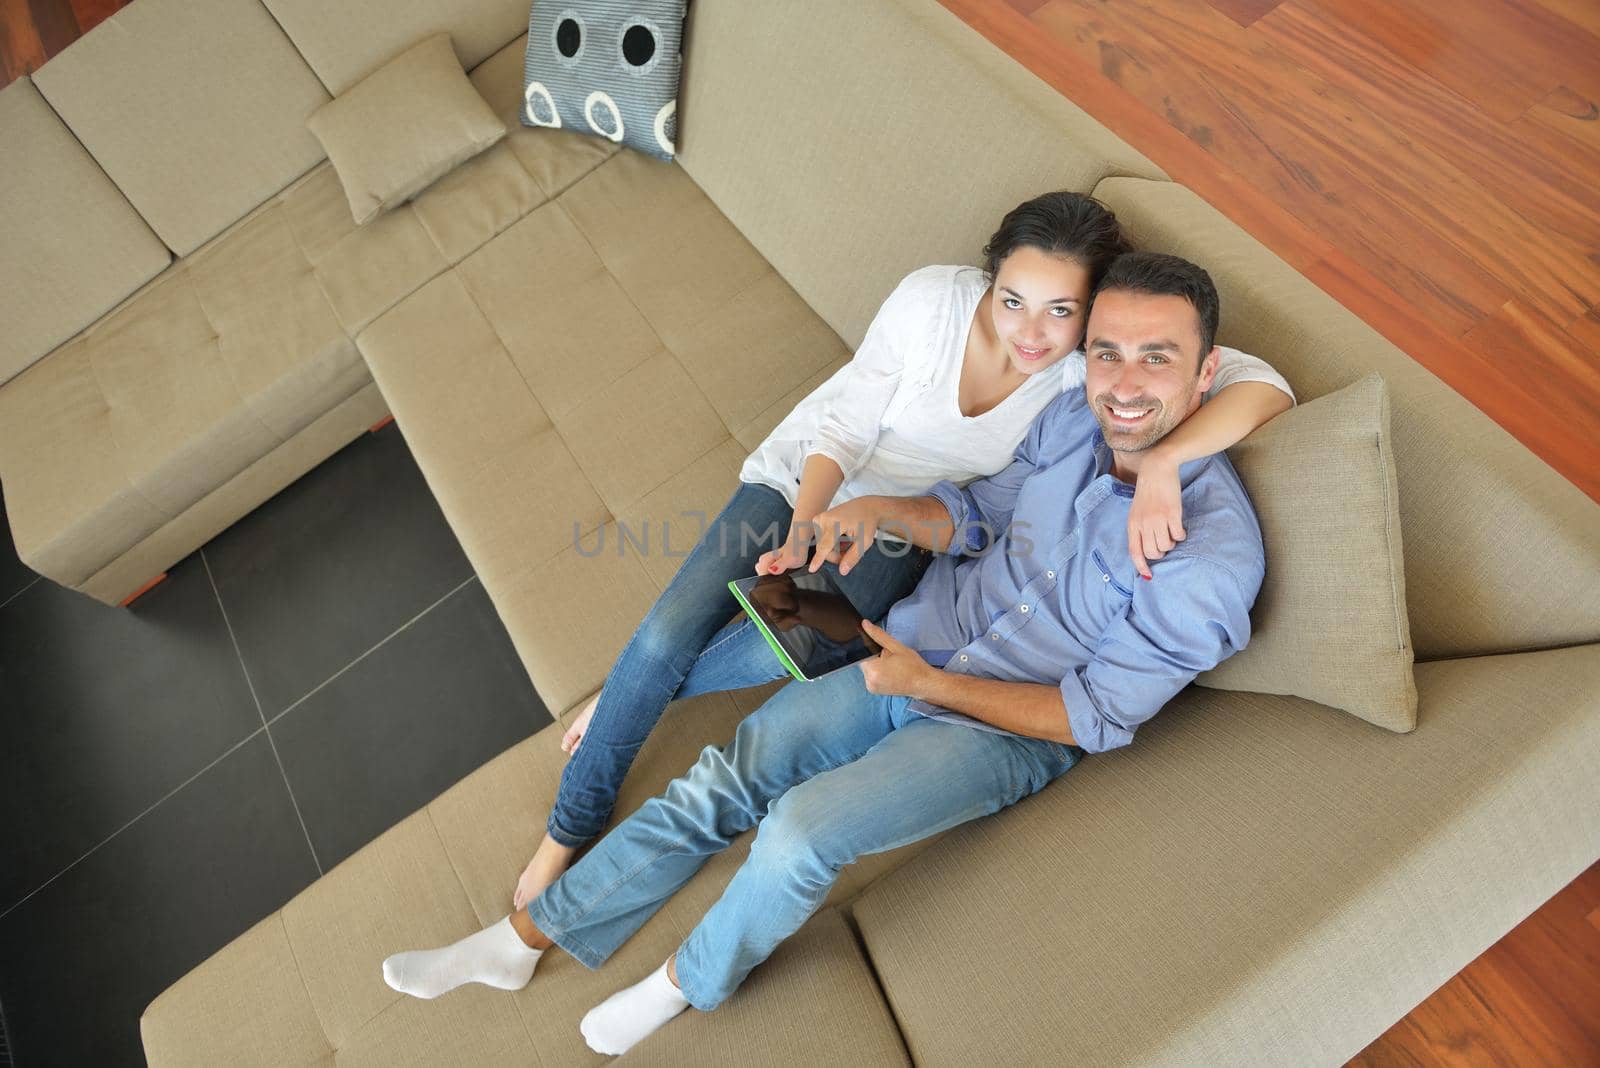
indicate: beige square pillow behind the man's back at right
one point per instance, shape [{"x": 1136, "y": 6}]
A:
[{"x": 1330, "y": 623}]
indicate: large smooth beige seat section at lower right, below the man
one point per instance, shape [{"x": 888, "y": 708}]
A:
[{"x": 1257, "y": 880}]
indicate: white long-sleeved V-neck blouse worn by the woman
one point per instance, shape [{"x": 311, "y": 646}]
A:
[{"x": 892, "y": 416}]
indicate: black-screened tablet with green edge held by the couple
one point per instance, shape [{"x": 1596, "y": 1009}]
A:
[{"x": 807, "y": 620}]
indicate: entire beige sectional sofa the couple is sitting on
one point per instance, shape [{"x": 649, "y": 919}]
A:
[{"x": 577, "y": 341}]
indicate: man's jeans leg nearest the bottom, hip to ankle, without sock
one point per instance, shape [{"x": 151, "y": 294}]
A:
[{"x": 922, "y": 779}]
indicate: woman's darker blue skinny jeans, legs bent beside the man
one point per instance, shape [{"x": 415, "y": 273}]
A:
[{"x": 687, "y": 647}]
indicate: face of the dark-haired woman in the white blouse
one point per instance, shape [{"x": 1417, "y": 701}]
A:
[{"x": 1039, "y": 306}]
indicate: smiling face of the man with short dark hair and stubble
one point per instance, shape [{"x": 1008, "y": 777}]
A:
[{"x": 1143, "y": 354}]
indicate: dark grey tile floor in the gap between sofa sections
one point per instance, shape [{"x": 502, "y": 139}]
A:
[{"x": 180, "y": 770}]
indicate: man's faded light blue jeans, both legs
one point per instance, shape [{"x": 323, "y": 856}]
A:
[{"x": 846, "y": 773}]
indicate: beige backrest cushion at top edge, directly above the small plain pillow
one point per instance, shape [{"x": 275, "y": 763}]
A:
[{"x": 345, "y": 42}]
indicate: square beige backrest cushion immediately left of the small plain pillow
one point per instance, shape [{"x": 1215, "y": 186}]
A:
[{"x": 198, "y": 111}]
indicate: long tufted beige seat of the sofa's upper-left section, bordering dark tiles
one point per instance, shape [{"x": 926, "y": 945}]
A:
[{"x": 234, "y": 370}]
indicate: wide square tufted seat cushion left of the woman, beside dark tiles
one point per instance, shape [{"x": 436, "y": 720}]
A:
[{"x": 535, "y": 448}]
